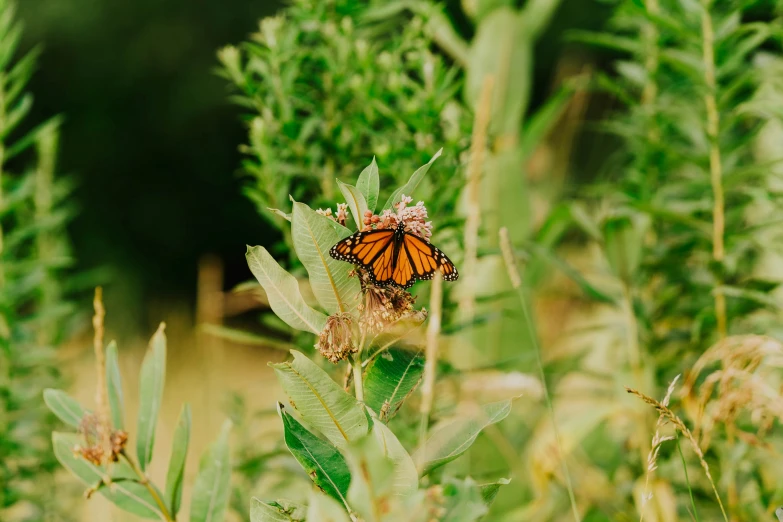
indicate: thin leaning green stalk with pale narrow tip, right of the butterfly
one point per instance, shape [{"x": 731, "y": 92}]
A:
[{"x": 516, "y": 283}]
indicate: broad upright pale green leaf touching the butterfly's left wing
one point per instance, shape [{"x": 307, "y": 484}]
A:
[{"x": 314, "y": 235}]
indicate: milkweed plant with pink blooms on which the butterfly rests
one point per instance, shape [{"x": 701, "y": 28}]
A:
[{"x": 339, "y": 433}]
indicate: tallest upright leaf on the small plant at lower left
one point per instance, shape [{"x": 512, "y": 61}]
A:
[{"x": 153, "y": 376}]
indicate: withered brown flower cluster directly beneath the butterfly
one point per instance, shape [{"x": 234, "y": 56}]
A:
[{"x": 382, "y": 306}]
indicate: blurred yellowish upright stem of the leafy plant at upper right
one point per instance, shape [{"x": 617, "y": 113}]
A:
[{"x": 716, "y": 173}]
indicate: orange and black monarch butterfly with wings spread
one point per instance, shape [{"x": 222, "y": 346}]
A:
[{"x": 394, "y": 256}]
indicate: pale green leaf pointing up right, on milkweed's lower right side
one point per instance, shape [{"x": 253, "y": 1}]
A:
[{"x": 452, "y": 438}]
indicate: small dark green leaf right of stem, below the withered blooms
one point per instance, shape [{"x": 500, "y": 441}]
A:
[{"x": 390, "y": 378}]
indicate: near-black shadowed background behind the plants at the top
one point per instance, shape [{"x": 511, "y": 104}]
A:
[{"x": 152, "y": 140}]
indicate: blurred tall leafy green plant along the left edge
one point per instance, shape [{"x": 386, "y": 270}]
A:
[{"x": 33, "y": 255}]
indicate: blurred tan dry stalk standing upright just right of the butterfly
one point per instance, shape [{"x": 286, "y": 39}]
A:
[{"x": 467, "y": 302}]
